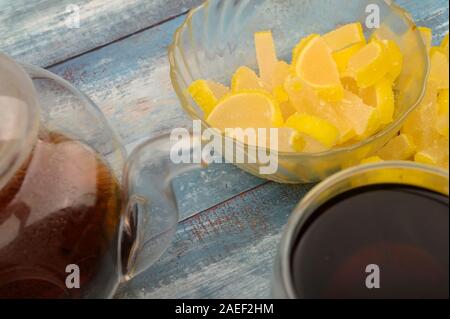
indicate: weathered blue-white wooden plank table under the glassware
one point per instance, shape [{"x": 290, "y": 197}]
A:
[{"x": 231, "y": 222}]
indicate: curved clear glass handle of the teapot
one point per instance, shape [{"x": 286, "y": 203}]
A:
[{"x": 151, "y": 216}]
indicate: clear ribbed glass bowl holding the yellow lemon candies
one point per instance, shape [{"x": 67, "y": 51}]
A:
[{"x": 217, "y": 38}]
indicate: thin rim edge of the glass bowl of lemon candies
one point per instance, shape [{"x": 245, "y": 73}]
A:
[{"x": 395, "y": 125}]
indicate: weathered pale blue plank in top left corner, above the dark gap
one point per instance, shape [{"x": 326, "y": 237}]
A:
[{"x": 37, "y": 31}]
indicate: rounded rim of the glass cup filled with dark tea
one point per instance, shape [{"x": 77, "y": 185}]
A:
[{"x": 302, "y": 211}]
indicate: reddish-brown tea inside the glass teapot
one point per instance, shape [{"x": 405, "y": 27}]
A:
[{"x": 61, "y": 208}]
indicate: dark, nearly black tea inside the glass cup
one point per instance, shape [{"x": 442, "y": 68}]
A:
[{"x": 378, "y": 241}]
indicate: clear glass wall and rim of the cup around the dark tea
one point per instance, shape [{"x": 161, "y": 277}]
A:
[{"x": 398, "y": 173}]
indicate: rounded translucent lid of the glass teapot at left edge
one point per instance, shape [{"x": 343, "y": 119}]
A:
[{"x": 19, "y": 117}]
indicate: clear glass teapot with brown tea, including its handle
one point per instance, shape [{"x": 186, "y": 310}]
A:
[{"x": 68, "y": 227}]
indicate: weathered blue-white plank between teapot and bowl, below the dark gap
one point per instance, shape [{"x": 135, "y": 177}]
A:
[{"x": 129, "y": 80}]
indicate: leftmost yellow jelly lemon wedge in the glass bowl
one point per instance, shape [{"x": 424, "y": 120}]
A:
[{"x": 207, "y": 94}]
